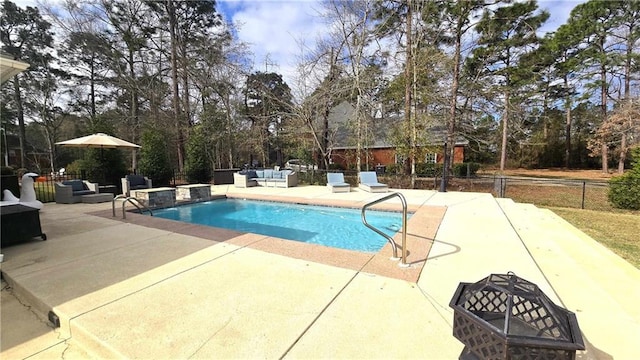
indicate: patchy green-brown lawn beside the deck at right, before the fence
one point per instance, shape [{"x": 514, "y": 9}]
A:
[{"x": 615, "y": 230}]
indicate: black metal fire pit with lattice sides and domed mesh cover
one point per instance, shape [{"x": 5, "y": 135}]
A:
[{"x": 506, "y": 317}]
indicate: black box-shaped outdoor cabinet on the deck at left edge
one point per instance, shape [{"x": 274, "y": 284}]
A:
[{"x": 19, "y": 223}]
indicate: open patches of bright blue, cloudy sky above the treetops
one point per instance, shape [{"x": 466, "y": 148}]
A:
[{"x": 277, "y": 30}]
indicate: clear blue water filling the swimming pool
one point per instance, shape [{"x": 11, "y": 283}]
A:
[{"x": 328, "y": 226}]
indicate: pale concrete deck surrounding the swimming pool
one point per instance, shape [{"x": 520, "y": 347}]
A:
[{"x": 127, "y": 289}]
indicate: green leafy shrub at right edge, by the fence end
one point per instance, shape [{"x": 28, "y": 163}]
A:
[{"x": 624, "y": 190}]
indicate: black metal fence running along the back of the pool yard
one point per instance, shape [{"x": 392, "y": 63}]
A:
[{"x": 581, "y": 194}]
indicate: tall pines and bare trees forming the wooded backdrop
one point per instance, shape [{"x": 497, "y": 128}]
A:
[{"x": 479, "y": 68}]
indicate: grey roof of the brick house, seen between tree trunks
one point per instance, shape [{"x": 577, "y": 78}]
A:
[{"x": 380, "y": 130}]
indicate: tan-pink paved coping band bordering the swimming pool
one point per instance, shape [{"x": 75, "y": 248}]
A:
[{"x": 421, "y": 230}]
